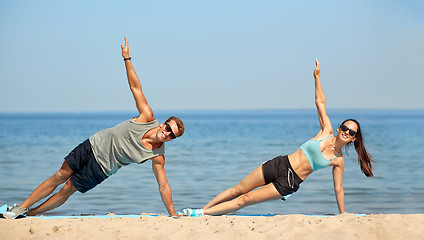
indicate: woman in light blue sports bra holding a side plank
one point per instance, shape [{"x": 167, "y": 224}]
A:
[{"x": 281, "y": 176}]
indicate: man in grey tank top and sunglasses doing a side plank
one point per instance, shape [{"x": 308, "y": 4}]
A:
[{"x": 133, "y": 141}]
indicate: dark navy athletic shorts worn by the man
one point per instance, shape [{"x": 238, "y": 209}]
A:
[{"x": 87, "y": 172}]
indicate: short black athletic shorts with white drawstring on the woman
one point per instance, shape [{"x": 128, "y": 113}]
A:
[{"x": 280, "y": 173}]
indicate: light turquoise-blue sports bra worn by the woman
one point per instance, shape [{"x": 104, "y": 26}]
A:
[{"x": 312, "y": 151}]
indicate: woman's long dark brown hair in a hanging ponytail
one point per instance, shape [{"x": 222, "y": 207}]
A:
[{"x": 364, "y": 158}]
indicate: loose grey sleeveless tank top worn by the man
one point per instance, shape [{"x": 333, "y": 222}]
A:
[{"x": 121, "y": 145}]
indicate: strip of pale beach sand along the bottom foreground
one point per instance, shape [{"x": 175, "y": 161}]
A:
[{"x": 345, "y": 226}]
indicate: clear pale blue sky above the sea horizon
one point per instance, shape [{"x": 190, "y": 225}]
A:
[{"x": 66, "y": 56}]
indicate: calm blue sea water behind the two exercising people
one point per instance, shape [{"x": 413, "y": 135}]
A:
[{"x": 218, "y": 149}]
